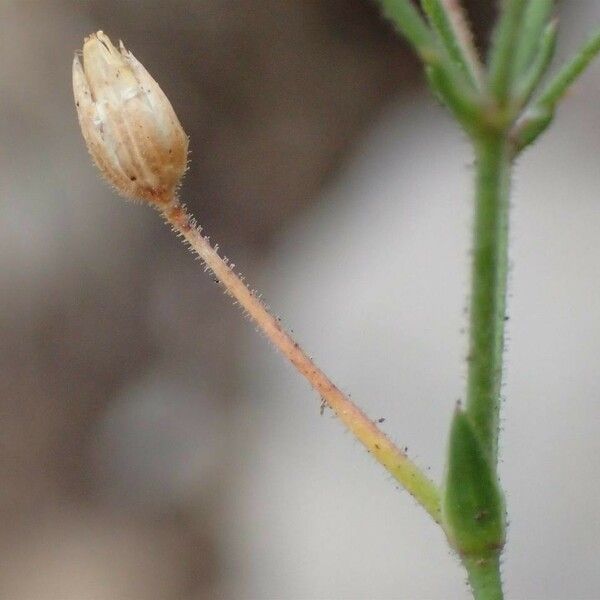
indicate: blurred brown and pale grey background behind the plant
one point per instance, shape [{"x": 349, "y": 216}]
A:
[{"x": 152, "y": 445}]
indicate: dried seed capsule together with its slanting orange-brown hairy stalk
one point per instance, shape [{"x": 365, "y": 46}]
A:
[{"x": 139, "y": 145}]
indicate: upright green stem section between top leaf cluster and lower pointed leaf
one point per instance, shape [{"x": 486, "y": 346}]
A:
[{"x": 488, "y": 291}]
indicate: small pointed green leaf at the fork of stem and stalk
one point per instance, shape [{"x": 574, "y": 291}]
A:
[{"x": 473, "y": 504}]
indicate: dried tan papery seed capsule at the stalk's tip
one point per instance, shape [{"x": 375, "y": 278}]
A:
[{"x": 129, "y": 125}]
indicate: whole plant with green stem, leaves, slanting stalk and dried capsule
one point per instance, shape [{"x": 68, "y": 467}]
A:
[{"x": 500, "y": 103}]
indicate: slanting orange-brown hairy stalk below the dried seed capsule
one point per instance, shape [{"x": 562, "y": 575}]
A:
[{"x": 374, "y": 440}]
